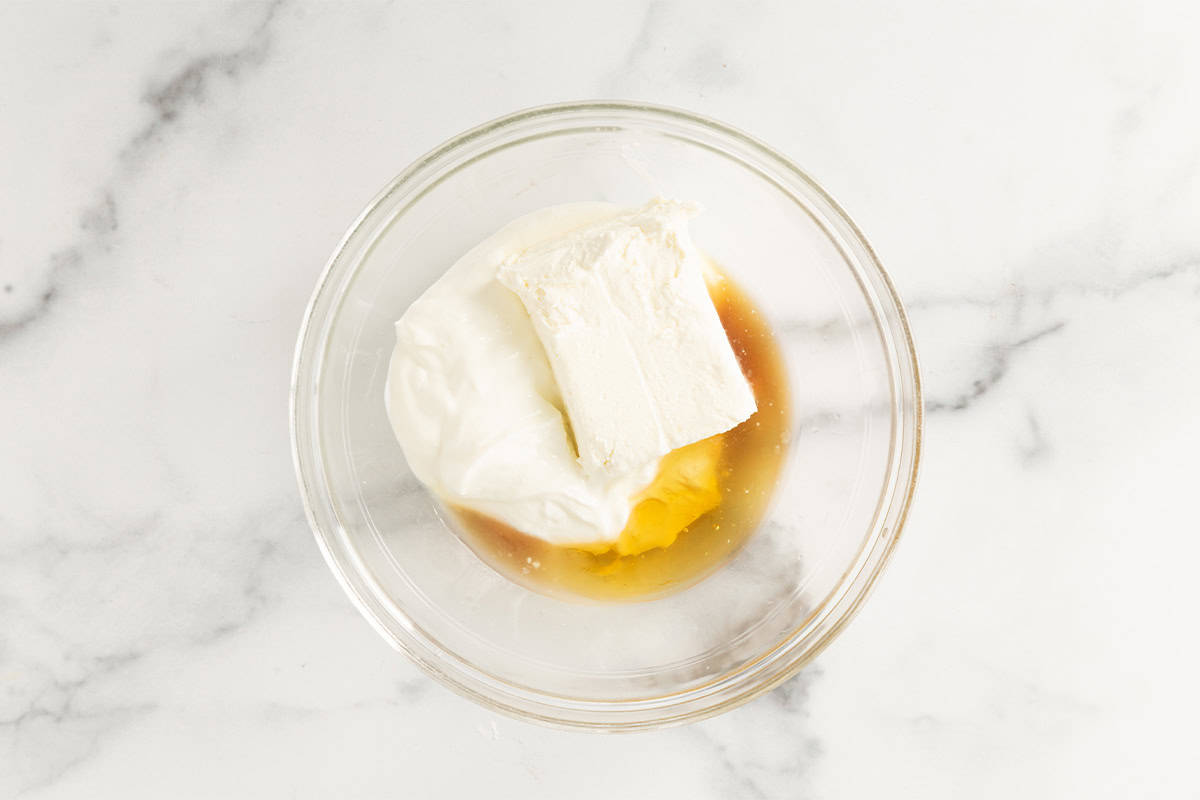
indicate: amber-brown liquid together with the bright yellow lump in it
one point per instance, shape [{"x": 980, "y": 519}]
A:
[{"x": 727, "y": 480}]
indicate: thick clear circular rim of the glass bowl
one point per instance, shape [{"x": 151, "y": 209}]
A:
[{"x": 727, "y": 691}]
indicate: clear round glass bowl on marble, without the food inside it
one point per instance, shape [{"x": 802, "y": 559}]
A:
[{"x": 843, "y": 495}]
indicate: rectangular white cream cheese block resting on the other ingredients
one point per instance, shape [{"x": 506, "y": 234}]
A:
[{"x": 632, "y": 335}]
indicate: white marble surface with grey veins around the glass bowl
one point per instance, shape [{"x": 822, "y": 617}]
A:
[{"x": 175, "y": 177}]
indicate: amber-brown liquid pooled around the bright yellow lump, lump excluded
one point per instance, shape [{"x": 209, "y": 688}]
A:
[{"x": 751, "y": 462}]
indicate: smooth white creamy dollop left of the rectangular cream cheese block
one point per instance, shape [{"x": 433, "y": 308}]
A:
[{"x": 475, "y": 405}]
